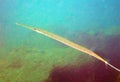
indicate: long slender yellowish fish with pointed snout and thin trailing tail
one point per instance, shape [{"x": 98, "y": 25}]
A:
[{"x": 68, "y": 43}]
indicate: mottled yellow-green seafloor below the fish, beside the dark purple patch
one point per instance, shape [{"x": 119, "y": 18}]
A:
[{"x": 25, "y": 64}]
